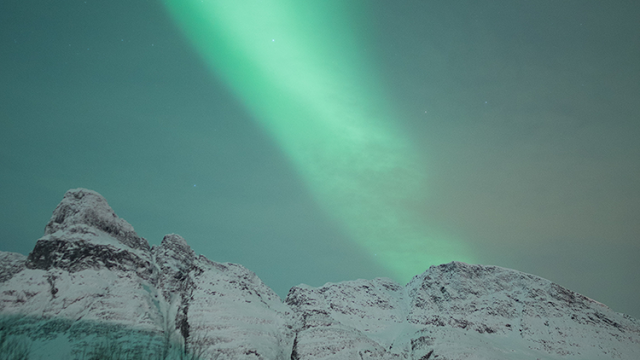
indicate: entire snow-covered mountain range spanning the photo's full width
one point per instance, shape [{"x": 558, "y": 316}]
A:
[{"x": 92, "y": 288}]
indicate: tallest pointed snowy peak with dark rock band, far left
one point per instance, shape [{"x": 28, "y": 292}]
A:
[{"x": 89, "y": 275}]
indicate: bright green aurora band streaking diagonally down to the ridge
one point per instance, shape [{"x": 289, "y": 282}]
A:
[{"x": 298, "y": 68}]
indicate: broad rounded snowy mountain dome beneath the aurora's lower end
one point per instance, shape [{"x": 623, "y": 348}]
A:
[{"x": 466, "y": 310}]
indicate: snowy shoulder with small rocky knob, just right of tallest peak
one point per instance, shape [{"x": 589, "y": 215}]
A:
[{"x": 220, "y": 310}]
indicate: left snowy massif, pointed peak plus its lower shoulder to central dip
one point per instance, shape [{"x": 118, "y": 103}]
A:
[{"x": 92, "y": 277}]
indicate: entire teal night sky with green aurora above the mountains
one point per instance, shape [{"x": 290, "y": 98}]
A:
[{"x": 323, "y": 141}]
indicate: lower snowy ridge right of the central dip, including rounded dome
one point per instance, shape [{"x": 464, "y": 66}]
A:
[{"x": 459, "y": 311}]
